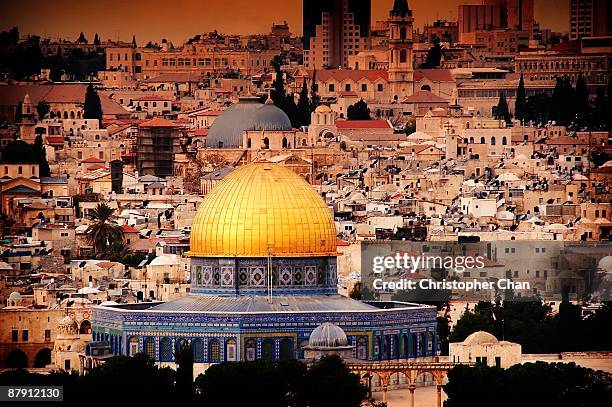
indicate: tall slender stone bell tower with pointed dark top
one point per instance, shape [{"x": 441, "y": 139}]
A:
[{"x": 400, "y": 50}]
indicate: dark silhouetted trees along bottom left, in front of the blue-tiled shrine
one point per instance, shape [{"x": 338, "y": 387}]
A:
[{"x": 328, "y": 382}]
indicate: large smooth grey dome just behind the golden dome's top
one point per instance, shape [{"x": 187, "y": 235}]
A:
[{"x": 247, "y": 114}]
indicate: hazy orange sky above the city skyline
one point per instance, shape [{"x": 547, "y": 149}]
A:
[{"x": 178, "y": 20}]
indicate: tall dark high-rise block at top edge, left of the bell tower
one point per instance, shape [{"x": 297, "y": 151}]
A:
[{"x": 333, "y": 30}]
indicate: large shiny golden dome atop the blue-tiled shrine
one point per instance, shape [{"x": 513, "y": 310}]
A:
[{"x": 263, "y": 208}]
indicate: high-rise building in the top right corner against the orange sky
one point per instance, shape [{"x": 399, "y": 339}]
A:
[{"x": 590, "y": 18}]
